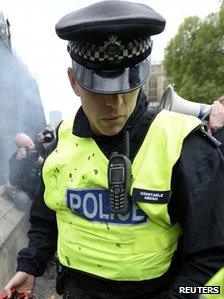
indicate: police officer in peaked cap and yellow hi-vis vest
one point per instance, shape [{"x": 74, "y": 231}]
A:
[{"x": 171, "y": 233}]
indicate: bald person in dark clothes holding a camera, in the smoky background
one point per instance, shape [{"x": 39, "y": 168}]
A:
[{"x": 24, "y": 165}]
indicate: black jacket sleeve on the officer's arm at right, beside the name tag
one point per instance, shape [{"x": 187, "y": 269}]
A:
[{"x": 198, "y": 205}]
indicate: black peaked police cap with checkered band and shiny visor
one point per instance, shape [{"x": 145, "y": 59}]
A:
[{"x": 109, "y": 43}]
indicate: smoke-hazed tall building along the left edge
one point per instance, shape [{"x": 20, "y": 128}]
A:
[{"x": 21, "y": 109}]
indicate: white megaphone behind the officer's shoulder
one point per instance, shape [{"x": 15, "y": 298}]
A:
[{"x": 173, "y": 102}]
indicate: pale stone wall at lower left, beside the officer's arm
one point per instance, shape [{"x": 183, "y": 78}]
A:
[{"x": 14, "y": 224}]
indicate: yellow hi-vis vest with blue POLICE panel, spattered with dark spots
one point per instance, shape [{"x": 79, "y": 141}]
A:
[{"x": 138, "y": 245}]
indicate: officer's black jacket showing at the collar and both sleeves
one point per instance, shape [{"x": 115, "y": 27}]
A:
[{"x": 197, "y": 203}]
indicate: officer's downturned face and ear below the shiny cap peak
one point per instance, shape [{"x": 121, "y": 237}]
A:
[{"x": 107, "y": 113}]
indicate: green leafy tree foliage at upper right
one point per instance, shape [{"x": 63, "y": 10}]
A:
[{"x": 194, "y": 58}]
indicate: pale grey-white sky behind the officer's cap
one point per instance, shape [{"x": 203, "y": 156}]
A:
[{"x": 35, "y": 41}]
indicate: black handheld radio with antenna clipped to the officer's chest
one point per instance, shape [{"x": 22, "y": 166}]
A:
[{"x": 119, "y": 180}]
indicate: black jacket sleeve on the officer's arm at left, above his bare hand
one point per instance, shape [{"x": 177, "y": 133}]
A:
[{"x": 42, "y": 238}]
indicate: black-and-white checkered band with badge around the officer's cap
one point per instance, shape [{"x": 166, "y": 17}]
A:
[{"x": 99, "y": 52}]
